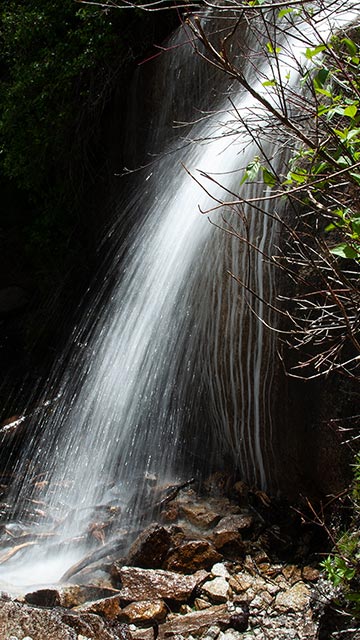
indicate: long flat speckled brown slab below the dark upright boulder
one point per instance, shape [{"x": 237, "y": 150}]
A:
[{"x": 149, "y": 584}]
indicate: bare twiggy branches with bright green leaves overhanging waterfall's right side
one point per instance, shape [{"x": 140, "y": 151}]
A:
[{"x": 307, "y": 100}]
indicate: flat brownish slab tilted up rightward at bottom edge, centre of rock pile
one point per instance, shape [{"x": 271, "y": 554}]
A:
[{"x": 195, "y": 623}]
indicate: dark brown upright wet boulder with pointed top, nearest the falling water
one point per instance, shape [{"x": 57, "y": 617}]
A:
[{"x": 150, "y": 548}]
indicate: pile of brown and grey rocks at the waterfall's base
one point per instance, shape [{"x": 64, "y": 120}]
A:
[{"x": 226, "y": 564}]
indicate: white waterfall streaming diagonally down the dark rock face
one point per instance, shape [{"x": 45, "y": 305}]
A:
[{"x": 175, "y": 336}]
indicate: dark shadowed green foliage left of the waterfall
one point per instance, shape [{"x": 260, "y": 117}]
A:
[{"x": 60, "y": 65}]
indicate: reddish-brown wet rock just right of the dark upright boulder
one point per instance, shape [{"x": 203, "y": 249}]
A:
[{"x": 191, "y": 556}]
